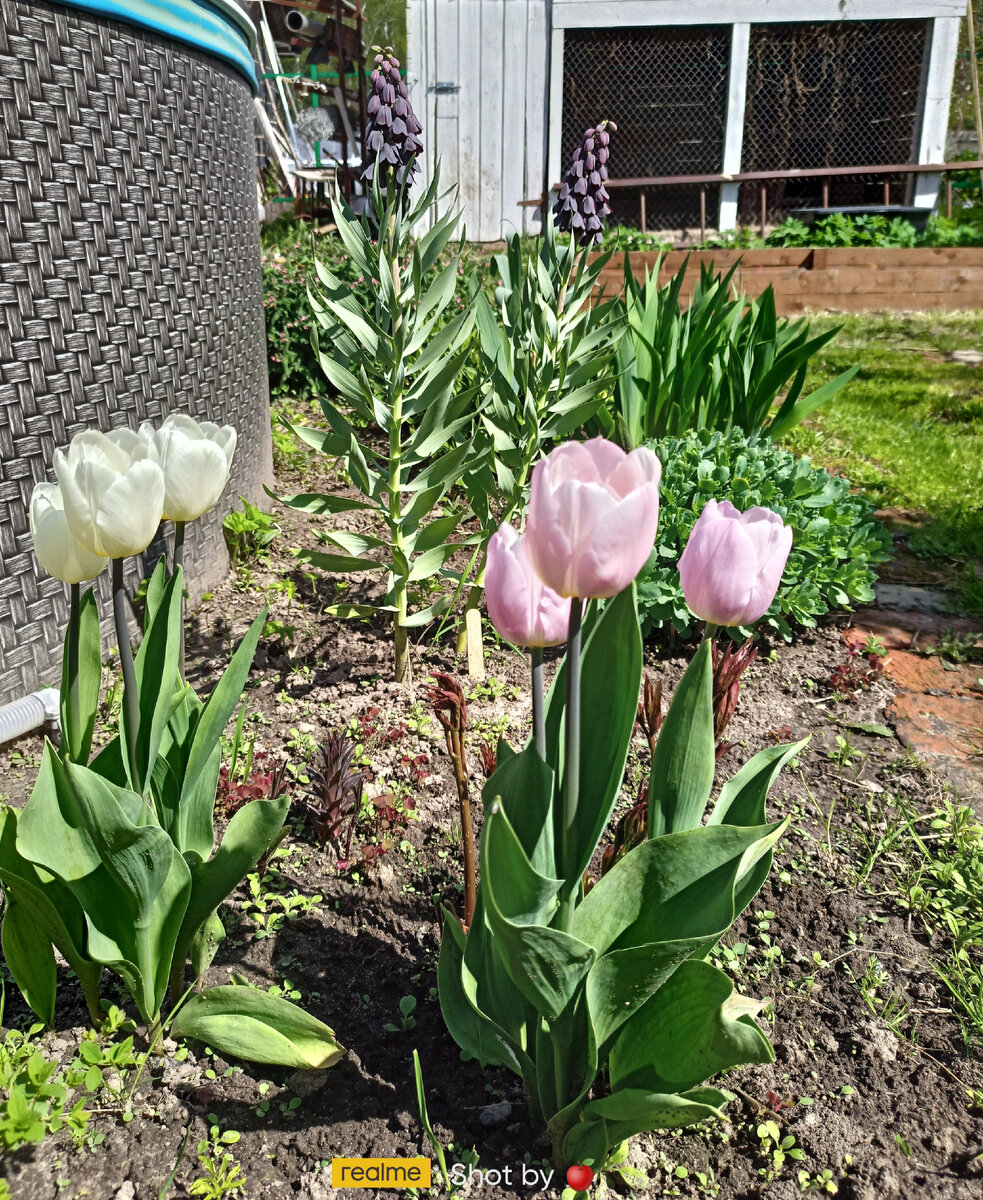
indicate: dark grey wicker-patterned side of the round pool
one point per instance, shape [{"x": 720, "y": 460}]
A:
[{"x": 130, "y": 283}]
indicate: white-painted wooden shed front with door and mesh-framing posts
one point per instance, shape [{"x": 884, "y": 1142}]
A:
[{"x": 487, "y": 81}]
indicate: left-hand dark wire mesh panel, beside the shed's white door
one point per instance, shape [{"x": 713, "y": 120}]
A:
[{"x": 667, "y": 89}]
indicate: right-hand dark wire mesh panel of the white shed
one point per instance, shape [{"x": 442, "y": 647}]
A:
[{"x": 831, "y": 95}]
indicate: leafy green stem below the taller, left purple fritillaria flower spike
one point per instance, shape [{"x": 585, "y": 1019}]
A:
[{"x": 394, "y": 361}]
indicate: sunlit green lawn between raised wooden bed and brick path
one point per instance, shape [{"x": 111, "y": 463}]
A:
[{"x": 909, "y": 428}]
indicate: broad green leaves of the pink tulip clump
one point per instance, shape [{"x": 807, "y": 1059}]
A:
[{"x": 604, "y": 1001}]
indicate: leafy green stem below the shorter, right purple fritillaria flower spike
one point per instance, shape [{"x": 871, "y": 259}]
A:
[{"x": 547, "y": 363}]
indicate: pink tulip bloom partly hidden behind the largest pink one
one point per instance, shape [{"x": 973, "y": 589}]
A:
[{"x": 522, "y": 608}]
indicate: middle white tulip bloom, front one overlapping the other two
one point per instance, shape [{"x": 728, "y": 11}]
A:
[{"x": 113, "y": 493}]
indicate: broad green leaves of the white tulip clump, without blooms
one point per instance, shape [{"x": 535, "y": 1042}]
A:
[{"x": 113, "y": 861}]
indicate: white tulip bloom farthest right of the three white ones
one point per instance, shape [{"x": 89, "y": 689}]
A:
[{"x": 196, "y": 459}]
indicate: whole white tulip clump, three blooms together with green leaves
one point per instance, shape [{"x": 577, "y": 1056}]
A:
[{"x": 115, "y": 861}]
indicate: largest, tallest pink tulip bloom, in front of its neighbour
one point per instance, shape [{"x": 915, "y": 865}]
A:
[{"x": 594, "y": 517}]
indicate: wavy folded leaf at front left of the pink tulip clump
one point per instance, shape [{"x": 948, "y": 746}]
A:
[{"x": 546, "y": 964}]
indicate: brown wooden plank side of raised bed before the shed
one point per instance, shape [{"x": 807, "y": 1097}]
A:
[{"x": 849, "y": 280}]
